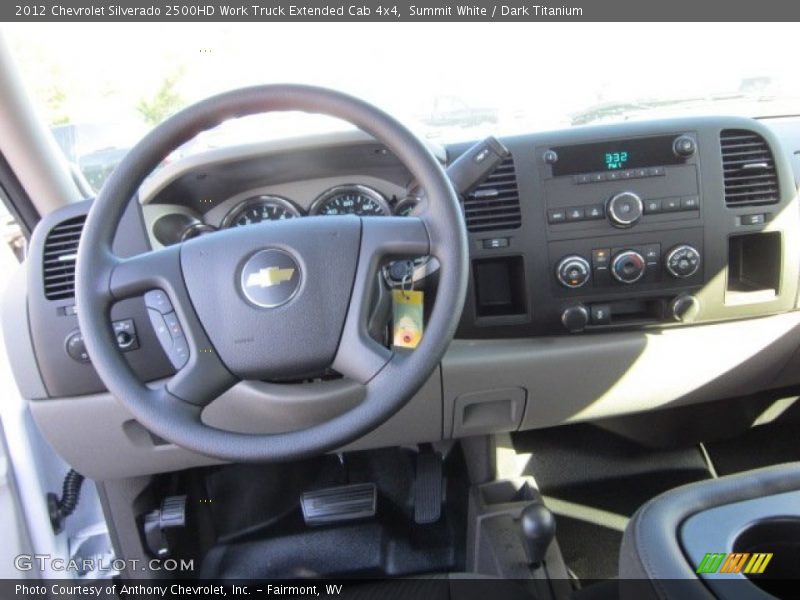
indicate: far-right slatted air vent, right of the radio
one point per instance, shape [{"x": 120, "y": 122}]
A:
[{"x": 749, "y": 169}]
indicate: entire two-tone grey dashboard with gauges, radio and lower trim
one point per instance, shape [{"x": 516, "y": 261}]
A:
[{"x": 636, "y": 242}]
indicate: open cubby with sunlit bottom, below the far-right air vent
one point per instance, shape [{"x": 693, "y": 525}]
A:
[{"x": 754, "y": 268}]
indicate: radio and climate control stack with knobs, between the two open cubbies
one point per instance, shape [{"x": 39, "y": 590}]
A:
[{"x": 624, "y": 216}]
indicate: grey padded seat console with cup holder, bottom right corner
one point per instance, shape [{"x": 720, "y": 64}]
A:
[{"x": 726, "y": 538}]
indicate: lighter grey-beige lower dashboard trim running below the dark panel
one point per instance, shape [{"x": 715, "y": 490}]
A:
[{"x": 568, "y": 379}]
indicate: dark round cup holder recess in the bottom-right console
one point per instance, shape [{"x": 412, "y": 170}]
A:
[{"x": 779, "y": 537}]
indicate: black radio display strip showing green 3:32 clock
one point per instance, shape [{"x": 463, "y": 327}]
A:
[{"x": 616, "y": 155}]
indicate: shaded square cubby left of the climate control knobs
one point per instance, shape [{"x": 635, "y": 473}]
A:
[{"x": 499, "y": 286}]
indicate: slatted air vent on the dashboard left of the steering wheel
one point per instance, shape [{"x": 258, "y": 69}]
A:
[{"x": 60, "y": 251}]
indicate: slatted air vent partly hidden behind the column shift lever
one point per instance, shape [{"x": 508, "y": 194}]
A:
[{"x": 495, "y": 203}]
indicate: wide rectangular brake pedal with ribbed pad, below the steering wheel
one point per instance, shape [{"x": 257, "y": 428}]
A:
[{"x": 342, "y": 503}]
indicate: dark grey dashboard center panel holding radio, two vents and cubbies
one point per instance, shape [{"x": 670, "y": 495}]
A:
[{"x": 638, "y": 225}]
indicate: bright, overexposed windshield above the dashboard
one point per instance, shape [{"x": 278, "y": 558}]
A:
[{"x": 100, "y": 87}]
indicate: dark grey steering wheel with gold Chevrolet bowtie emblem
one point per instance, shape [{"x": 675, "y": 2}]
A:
[{"x": 271, "y": 300}]
